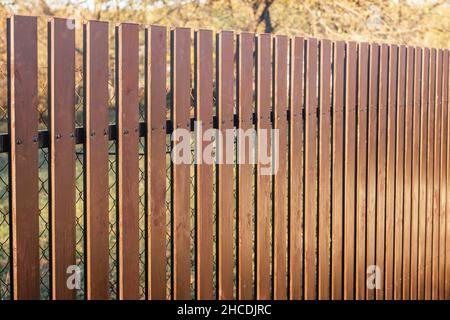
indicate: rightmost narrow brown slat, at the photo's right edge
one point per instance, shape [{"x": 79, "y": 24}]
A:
[{"x": 443, "y": 176}]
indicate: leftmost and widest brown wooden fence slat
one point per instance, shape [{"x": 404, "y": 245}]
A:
[{"x": 23, "y": 126}]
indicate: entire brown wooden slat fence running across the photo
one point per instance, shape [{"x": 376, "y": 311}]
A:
[{"x": 359, "y": 198}]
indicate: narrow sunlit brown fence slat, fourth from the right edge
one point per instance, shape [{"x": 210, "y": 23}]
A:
[{"x": 415, "y": 173}]
